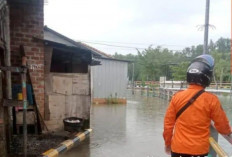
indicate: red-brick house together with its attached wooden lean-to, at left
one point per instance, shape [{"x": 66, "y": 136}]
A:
[{"x": 58, "y": 73}]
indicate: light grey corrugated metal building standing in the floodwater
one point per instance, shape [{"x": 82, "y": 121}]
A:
[{"x": 110, "y": 81}]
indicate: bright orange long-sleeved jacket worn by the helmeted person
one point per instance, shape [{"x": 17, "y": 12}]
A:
[{"x": 189, "y": 134}]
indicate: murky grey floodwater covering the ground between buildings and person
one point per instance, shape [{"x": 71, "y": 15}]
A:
[{"x": 132, "y": 130}]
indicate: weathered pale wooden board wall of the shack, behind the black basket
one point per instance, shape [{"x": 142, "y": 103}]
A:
[{"x": 66, "y": 95}]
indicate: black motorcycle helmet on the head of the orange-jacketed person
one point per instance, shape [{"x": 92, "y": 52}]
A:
[{"x": 200, "y": 70}]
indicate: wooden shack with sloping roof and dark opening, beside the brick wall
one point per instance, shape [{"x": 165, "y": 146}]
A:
[{"x": 67, "y": 80}]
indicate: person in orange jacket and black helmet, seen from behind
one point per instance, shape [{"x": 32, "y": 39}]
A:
[{"x": 188, "y": 134}]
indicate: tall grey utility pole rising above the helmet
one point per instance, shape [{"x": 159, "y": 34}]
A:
[{"x": 206, "y": 35}]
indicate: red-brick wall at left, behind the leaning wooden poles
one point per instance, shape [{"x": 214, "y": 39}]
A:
[{"x": 26, "y": 22}]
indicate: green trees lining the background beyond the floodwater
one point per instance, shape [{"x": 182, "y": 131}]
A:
[{"x": 152, "y": 63}]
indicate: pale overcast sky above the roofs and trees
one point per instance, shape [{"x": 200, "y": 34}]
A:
[{"x": 130, "y": 24}]
